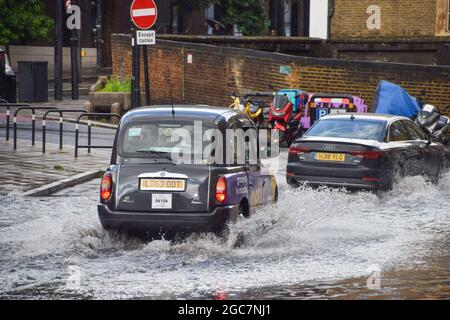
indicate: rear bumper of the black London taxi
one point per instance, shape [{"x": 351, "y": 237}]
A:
[{"x": 167, "y": 222}]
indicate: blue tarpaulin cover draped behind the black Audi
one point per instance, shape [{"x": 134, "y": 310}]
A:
[{"x": 393, "y": 99}]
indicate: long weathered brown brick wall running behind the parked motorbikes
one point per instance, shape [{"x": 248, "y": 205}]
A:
[{"x": 217, "y": 71}]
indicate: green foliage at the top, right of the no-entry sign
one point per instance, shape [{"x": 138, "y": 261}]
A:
[{"x": 248, "y": 15}]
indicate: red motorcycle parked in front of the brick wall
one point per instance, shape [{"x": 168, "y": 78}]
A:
[{"x": 285, "y": 115}]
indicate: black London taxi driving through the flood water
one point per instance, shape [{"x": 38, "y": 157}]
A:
[{"x": 144, "y": 189}]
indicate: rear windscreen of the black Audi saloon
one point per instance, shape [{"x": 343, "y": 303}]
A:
[{"x": 347, "y": 128}]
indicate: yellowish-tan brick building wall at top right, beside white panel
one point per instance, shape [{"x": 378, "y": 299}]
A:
[{"x": 399, "y": 18}]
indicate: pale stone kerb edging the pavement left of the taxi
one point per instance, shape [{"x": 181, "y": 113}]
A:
[{"x": 54, "y": 187}]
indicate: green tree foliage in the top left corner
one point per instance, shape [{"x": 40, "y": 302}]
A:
[{"x": 23, "y": 19}]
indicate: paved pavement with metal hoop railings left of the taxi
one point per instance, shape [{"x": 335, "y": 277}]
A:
[{"x": 27, "y": 168}]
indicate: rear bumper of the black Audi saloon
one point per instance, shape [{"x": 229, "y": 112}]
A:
[{"x": 318, "y": 177}]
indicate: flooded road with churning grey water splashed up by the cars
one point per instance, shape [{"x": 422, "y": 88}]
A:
[{"x": 313, "y": 244}]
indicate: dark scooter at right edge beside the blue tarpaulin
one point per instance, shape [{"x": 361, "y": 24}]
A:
[{"x": 434, "y": 123}]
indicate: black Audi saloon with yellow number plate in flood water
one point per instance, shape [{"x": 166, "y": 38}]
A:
[{"x": 364, "y": 151}]
